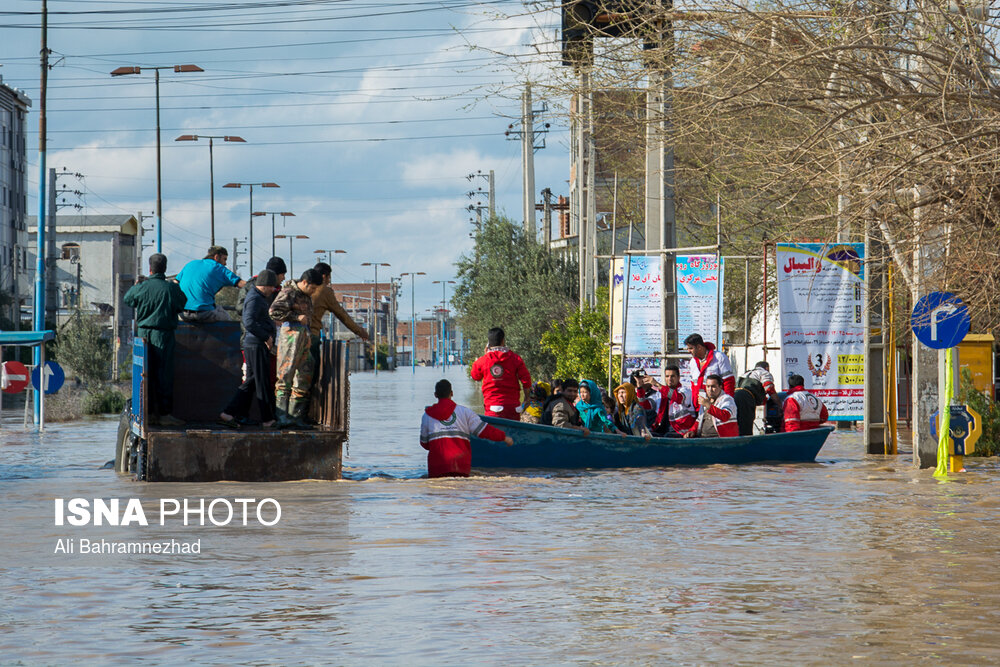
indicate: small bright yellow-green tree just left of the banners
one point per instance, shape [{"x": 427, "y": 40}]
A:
[{"x": 579, "y": 342}]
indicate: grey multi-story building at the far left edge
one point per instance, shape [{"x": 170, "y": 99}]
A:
[{"x": 13, "y": 196}]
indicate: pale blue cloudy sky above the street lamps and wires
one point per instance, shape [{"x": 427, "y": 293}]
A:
[{"x": 368, "y": 115}]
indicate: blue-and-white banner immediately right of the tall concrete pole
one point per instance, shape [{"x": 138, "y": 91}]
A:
[{"x": 699, "y": 297}]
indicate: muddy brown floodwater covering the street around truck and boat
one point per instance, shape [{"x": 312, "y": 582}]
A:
[{"x": 851, "y": 560}]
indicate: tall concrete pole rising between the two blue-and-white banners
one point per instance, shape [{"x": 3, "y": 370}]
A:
[{"x": 661, "y": 223}]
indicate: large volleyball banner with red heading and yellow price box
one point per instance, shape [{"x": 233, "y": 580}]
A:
[{"x": 821, "y": 296}]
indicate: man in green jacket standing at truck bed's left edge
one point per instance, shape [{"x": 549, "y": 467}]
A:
[{"x": 157, "y": 302}]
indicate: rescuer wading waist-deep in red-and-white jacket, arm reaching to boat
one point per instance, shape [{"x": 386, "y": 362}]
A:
[{"x": 446, "y": 430}]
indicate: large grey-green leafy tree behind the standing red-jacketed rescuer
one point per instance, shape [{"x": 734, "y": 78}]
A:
[{"x": 511, "y": 281}]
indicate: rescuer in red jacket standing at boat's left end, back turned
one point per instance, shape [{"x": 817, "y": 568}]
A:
[{"x": 503, "y": 375}]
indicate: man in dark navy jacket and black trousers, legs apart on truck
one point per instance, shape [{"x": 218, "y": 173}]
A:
[{"x": 257, "y": 345}]
